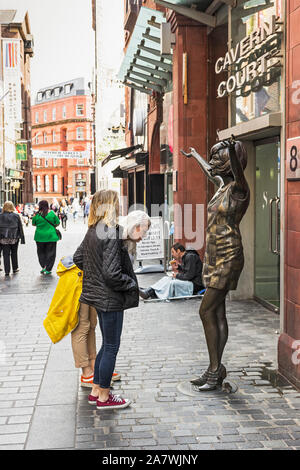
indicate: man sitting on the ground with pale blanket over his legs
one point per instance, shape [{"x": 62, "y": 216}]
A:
[{"x": 186, "y": 282}]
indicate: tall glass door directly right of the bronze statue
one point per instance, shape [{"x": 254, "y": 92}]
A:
[{"x": 267, "y": 223}]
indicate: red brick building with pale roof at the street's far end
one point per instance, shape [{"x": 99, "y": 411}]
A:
[{"x": 62, "y": 123}]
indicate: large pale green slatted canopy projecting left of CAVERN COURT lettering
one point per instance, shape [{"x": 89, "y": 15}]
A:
[{"x": 144, "y": 67}]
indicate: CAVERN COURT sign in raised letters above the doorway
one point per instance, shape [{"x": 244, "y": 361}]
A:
[{"x": 254, "y": 62}]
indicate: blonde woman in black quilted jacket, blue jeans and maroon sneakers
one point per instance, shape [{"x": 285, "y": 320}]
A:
[{"x": 110, "y": 286}]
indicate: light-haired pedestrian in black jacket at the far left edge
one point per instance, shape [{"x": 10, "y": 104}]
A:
[{"x": 11, "y": 232}]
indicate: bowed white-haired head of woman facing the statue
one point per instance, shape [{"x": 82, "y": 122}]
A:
[{"x": 135, "y": 225}]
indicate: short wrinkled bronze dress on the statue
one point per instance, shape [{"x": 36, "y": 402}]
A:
[{"x": 224, "y": 257}]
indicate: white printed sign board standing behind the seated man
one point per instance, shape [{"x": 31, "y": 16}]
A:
[{"x": 152, "y": 246}]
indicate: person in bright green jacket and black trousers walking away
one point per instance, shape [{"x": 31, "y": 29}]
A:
[{"x": 45, "y": 236}]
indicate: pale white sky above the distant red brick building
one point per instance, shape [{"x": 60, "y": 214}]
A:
[{"x": 63, "y": 38}]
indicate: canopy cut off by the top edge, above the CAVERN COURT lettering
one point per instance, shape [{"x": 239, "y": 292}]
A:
[{"x": 201, "y": 11}]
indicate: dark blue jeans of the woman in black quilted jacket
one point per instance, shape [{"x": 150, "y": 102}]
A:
[{"x": 111, "y": 324}]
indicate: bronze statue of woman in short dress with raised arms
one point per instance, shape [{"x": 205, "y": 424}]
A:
[{"x": 224, "y": 258}]
